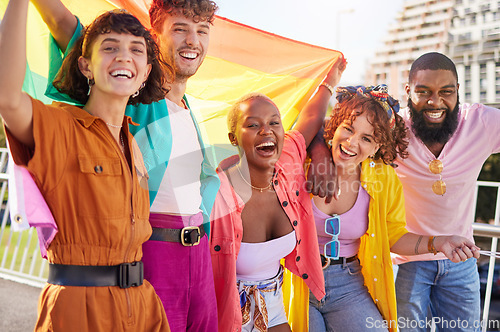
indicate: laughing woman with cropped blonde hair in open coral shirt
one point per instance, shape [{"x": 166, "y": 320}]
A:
[{"x": 262, "y": 214}]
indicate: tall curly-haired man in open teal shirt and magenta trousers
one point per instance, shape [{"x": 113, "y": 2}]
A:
[{"x": 182, "y": 183}]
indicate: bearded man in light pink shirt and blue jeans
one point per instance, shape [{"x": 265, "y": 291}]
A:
[{"x": 449, "y": 143}]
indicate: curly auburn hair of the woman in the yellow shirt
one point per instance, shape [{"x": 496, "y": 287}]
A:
[{"x": 392, "y": 141}]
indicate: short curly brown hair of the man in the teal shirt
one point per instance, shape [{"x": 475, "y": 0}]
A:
[{"x": 198, "y": 10}]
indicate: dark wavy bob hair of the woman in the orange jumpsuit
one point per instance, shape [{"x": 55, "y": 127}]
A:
[{"x": 72, "y": 82}]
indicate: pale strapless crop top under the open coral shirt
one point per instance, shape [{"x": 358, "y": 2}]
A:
[{"x": 261, "y": 261}]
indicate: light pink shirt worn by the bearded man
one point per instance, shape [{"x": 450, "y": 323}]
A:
[{"x": 475, "y": 139}]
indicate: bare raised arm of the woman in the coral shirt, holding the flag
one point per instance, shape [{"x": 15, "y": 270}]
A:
[{"x": 311, "y": 118}]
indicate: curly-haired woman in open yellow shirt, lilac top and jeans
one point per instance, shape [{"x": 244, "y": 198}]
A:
[{"x": 357, "y": 231}]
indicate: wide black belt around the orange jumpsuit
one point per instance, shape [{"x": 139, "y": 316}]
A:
[{"x": 124, "y": 275}]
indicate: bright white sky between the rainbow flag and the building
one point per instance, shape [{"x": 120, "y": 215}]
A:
[{"x": 354, "y": 27}]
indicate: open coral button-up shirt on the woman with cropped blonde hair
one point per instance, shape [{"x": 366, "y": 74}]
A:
[{"x": 227, "y": 230}]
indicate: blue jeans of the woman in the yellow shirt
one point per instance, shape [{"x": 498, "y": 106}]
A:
[{"x": 347, "y": 305}]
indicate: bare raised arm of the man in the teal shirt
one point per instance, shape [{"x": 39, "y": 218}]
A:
[{"x": 61, "y": 23}]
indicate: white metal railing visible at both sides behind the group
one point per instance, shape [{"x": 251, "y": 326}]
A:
[{"x": 21, "y": 260}]
